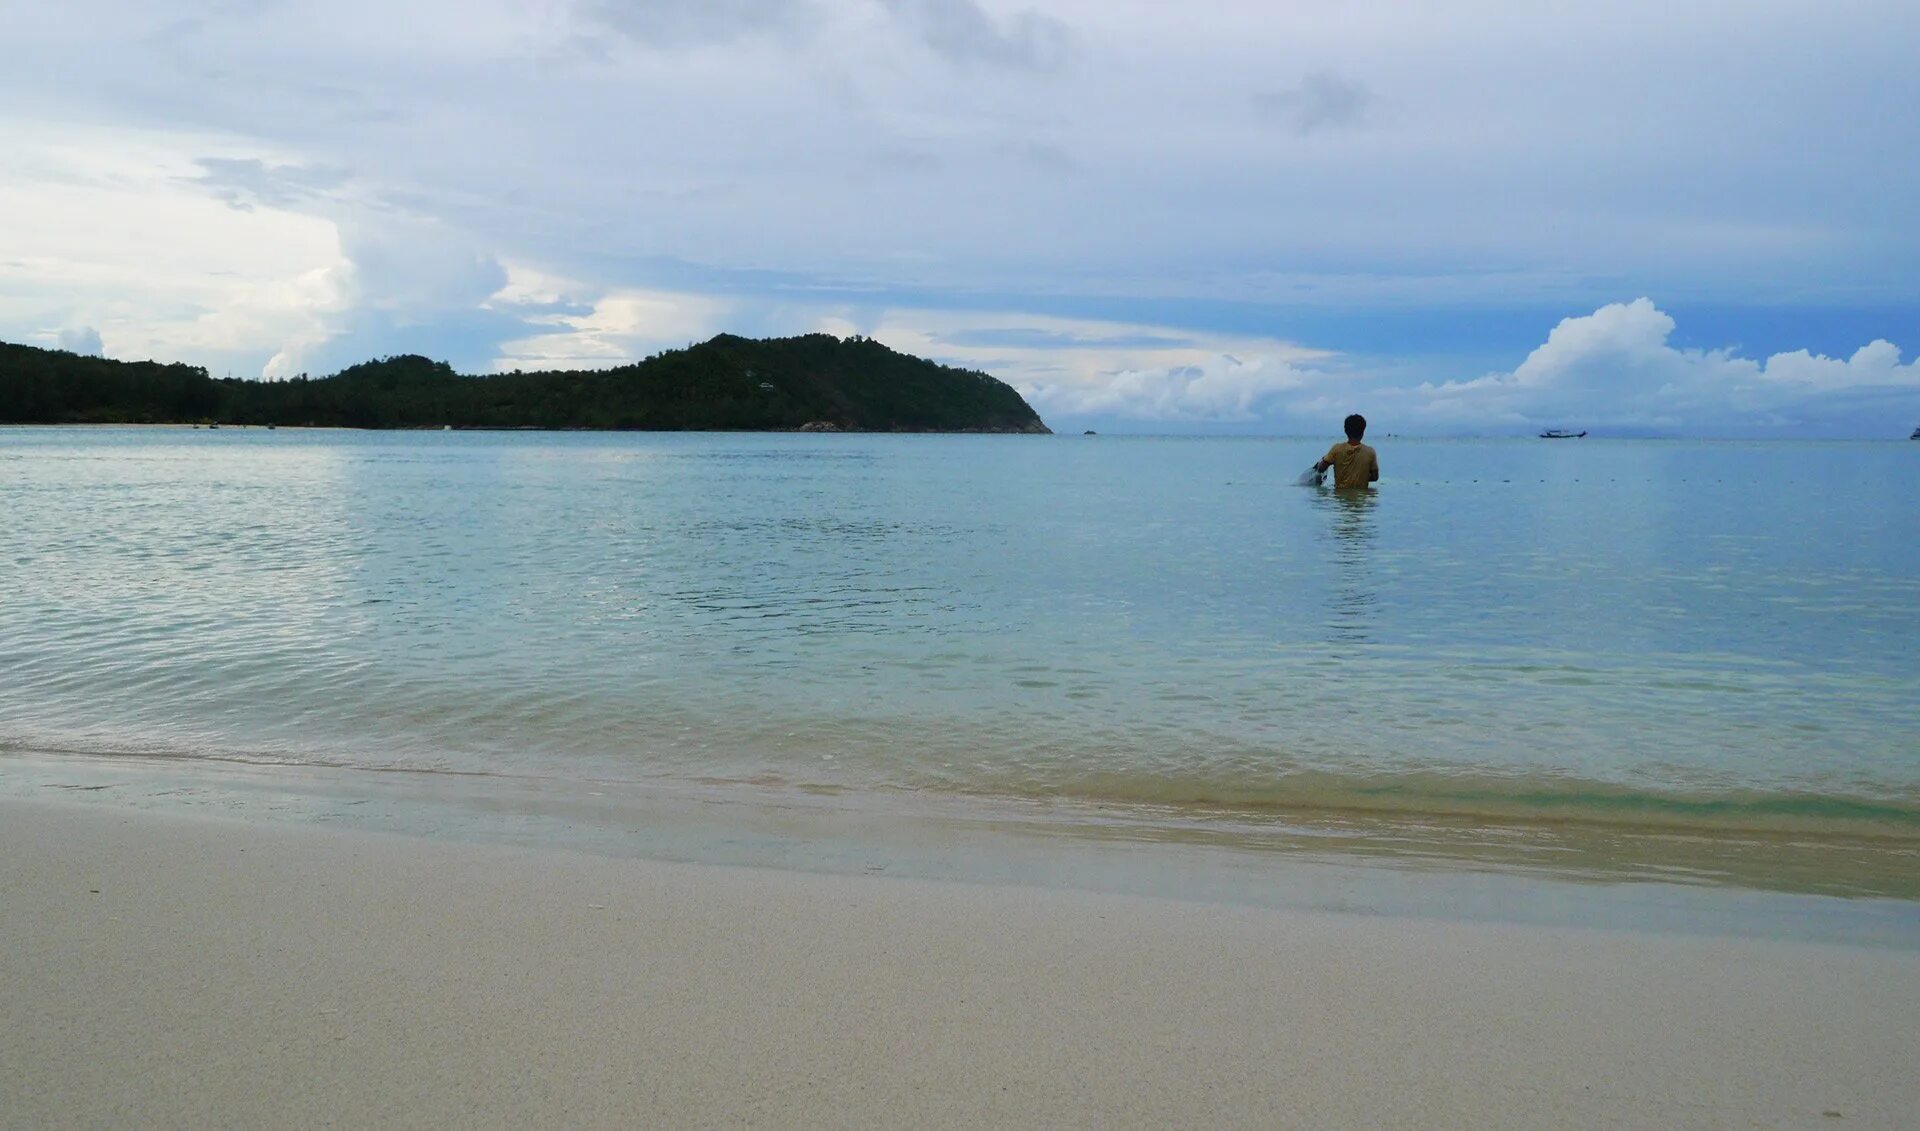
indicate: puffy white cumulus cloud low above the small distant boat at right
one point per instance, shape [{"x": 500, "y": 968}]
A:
[{"x": 1620, "y": 370}]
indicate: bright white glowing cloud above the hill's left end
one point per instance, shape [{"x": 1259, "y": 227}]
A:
[{"x": 181, "y": 249}]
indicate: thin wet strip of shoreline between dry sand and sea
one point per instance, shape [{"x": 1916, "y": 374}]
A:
[{"x": 1669, "y": 884}]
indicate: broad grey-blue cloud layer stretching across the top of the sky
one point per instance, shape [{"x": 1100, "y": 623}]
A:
[{"x": 485, "y": 112}]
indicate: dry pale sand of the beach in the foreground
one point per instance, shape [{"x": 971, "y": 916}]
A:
[{"x": 260, "y": 975}]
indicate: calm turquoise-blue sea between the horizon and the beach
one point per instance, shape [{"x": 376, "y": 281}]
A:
[{"x": 1625, "y": 665}]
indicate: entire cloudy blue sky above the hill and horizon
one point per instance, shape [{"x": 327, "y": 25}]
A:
[{"x": 1222, "y": 216}]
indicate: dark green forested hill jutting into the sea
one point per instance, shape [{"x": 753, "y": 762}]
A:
[{"x": 723, "y": 385}]
